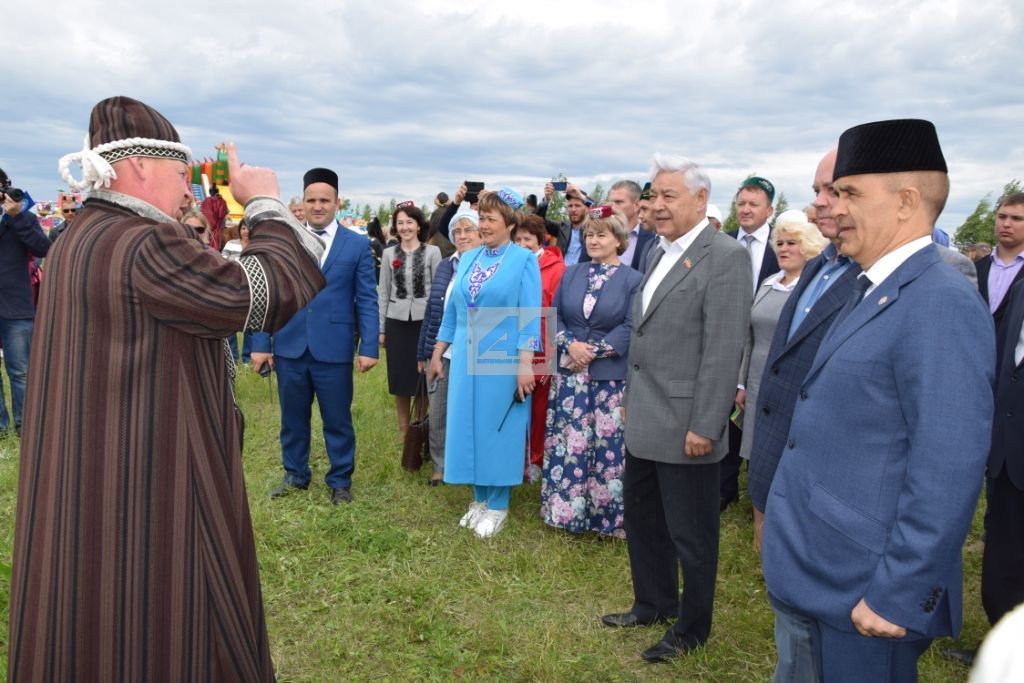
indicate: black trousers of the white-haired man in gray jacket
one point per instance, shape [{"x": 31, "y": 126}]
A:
[{"x": 672, "y": 519}]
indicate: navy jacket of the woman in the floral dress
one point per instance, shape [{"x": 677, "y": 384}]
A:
[{"x": 612, "y": 319}]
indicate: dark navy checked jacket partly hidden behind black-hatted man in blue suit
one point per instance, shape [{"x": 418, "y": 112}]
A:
[{"x": 786, "y": 369}]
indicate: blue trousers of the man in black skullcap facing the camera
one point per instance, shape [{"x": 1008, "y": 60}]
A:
[{"x": 300, "y": 381}]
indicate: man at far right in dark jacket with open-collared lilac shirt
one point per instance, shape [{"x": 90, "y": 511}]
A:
[{"x": 1005, "y": 268}]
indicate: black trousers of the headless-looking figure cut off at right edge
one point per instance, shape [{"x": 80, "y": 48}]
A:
[{"x": 1003, "y": 564}]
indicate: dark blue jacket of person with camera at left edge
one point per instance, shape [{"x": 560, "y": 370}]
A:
[{"x": 20, "y": 236}]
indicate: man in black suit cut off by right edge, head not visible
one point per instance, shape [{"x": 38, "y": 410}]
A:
[{"x": 1003, "y": 566}]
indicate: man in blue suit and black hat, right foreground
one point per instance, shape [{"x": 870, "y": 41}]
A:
[{"x": 868, "y": 513}]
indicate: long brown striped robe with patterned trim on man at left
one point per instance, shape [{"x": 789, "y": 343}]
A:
[{"x": 134, "y": 552}]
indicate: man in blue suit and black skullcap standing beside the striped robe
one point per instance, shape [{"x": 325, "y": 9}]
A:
[{"x": 314, "y": 353}]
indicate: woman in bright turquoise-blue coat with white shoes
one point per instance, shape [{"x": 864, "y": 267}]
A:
[{"x": 489, "y": 402}]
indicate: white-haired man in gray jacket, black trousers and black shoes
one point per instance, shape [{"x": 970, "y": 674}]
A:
[{"x": 690, "y": 324}]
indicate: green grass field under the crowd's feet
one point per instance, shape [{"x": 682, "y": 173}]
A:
[{"x": 390, "y": 588}]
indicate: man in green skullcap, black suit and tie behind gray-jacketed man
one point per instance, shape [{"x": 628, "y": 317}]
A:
[{"x": 753, "y": 211}]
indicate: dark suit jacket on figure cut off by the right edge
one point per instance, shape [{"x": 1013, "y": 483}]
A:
[{"x": 1008, "y": 428}]
